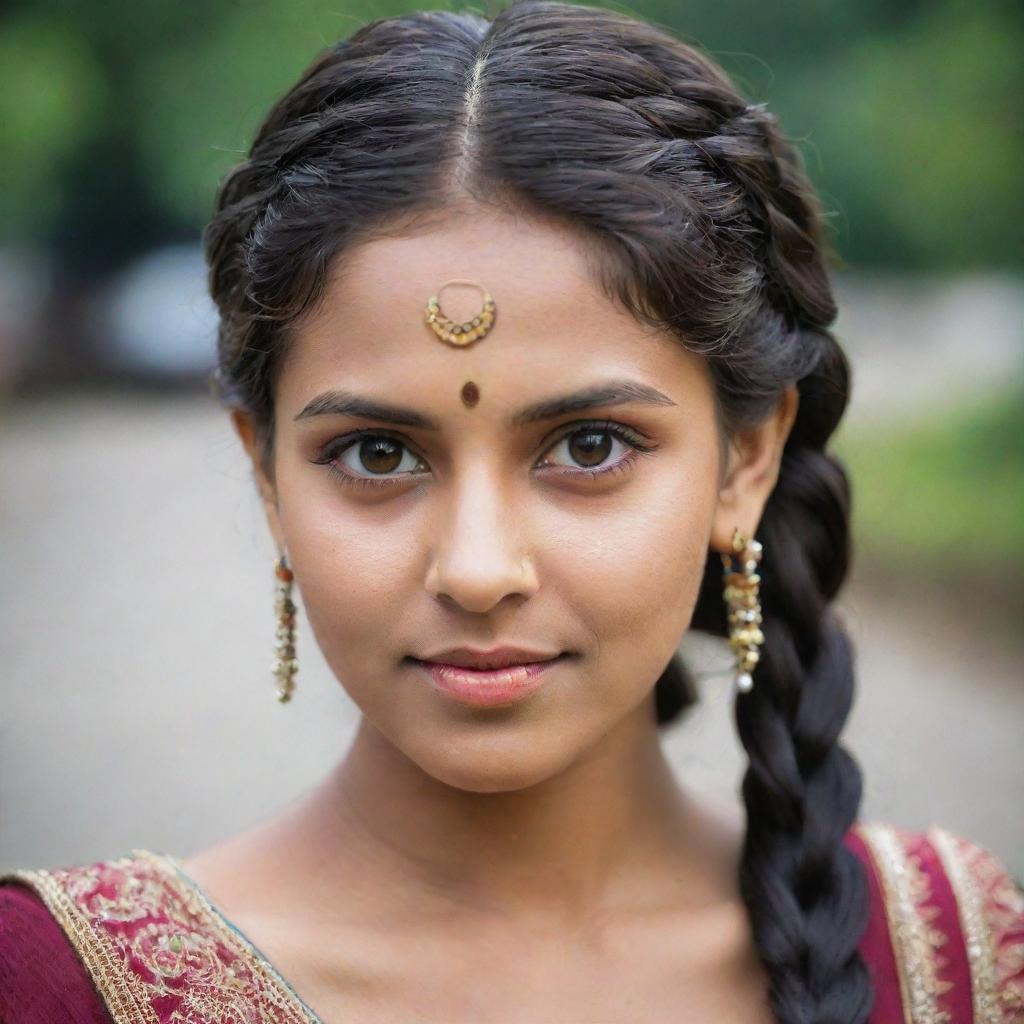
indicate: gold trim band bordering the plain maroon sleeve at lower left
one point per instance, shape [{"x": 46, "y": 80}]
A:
[{"x": 123, "y": 994}]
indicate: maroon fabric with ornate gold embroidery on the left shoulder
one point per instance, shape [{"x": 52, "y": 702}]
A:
[{"x": 145, "y": 937}]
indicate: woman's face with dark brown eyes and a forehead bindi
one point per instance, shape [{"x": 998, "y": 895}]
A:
[{"x": 583, "y": 533}]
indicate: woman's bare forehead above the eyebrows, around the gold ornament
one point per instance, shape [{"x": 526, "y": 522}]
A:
[{"x": 553, "y": 326}]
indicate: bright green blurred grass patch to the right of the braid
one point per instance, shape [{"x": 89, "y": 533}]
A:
[{"x": 946, "y": 492}]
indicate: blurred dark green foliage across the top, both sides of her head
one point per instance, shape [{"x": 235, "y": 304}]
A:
[{"x": 119, "y": 119}]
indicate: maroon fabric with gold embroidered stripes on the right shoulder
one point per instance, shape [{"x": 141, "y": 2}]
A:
[{"x": 953, "y": 915}]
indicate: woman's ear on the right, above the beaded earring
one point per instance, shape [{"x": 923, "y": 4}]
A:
[{"x": 755, "y": 457}]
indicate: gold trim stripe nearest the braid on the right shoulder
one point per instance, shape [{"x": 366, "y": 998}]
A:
[{"x": 907, "y": 890}]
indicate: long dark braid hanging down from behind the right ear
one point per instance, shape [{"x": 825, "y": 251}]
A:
[{"x": 802, "y": 790}]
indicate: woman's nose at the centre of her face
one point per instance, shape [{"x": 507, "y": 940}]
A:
[{"x": 479, "y": 557}]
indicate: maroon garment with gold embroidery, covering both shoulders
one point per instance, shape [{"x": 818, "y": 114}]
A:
[{"x": 136, "y": 942}]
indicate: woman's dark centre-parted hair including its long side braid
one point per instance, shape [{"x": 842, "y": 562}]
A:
[{"x": 700, "y": 220}]
